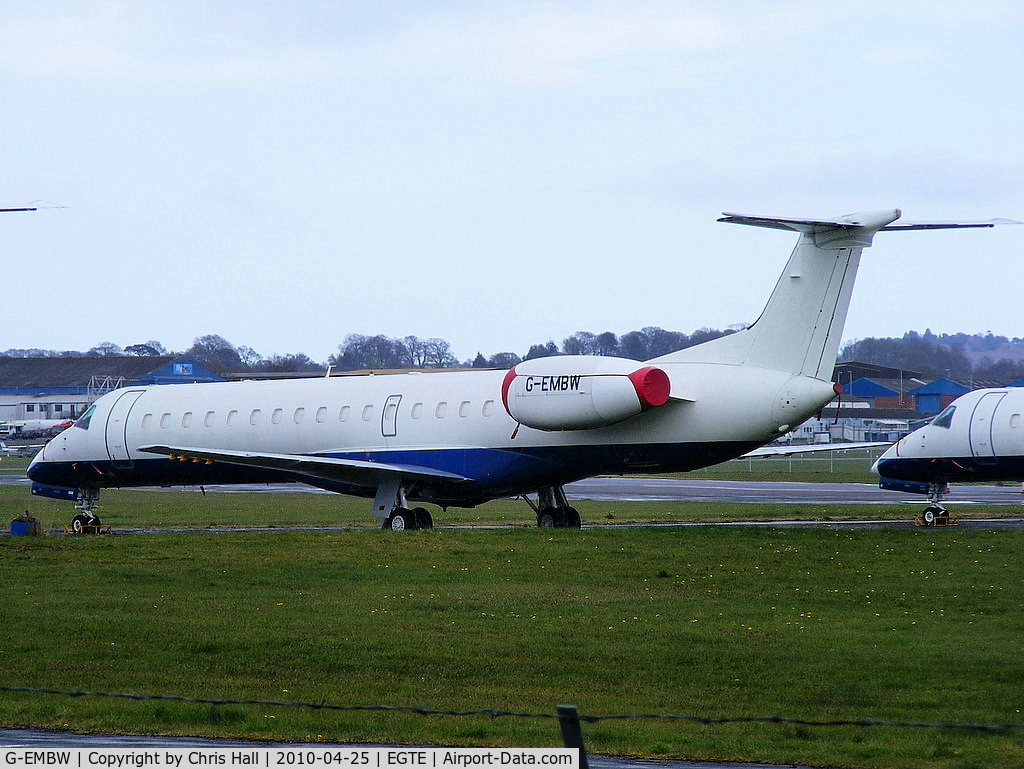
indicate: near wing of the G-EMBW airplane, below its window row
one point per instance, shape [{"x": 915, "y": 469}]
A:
[{"x": 359, "y": 473}]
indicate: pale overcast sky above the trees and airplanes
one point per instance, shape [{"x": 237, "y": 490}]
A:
[{"x": 497, "y": 175}]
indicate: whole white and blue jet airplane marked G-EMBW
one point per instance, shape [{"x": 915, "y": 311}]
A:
[{"x": 461, "y": 439}]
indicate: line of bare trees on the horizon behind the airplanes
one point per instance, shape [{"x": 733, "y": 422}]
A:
[{"x": 979, "y": 359}]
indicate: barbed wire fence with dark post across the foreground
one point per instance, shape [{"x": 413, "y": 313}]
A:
[{"x": 570, "y": 719}]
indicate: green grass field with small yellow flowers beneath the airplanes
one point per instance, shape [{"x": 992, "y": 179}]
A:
[{"x": 893, "y": 625}]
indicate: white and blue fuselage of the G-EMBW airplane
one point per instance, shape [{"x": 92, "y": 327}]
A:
[{"x": 452, "y": 422}]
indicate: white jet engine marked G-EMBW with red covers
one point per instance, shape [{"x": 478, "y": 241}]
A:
[{"x": 579, "y": 393}]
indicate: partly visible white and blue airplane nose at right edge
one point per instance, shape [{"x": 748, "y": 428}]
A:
[{"x": 979, "y": 438}]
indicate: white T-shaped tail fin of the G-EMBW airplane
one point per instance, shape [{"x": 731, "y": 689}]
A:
[{"x": 801, "y": 327}]
